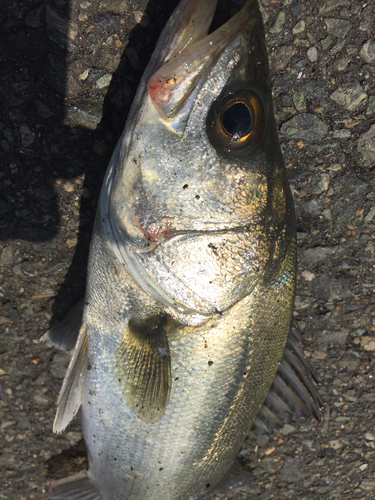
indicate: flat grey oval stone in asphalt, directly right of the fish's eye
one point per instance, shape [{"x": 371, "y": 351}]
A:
[{"x": 305, "y": 126}]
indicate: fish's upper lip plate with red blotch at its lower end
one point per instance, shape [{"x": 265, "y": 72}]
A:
[{"x": 176, "y": 83}]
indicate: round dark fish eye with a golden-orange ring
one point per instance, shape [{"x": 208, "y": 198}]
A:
[{"x": 236, "y": 121}]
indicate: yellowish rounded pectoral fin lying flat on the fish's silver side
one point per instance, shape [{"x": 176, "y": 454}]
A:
[{"x": 143, "y": 367}]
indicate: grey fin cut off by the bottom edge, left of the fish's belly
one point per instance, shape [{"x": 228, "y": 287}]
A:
[{"x": 77, "y": 487}]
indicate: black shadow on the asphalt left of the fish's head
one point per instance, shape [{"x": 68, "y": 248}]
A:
[{"x": 43, "y": 144}]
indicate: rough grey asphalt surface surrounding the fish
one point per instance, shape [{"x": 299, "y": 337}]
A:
[{"x": 68, "y": 73}]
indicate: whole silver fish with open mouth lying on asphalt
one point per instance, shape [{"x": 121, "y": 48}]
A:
[{"x": 185, "y": 342}]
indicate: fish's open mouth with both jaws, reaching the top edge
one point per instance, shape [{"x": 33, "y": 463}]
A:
[{"x": 191, "y": 52}]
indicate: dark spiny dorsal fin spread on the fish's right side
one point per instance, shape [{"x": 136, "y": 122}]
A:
[{"x": 292, "y": 392}]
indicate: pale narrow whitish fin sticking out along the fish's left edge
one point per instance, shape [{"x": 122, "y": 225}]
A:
[{"x": 70, "y": 396}]
